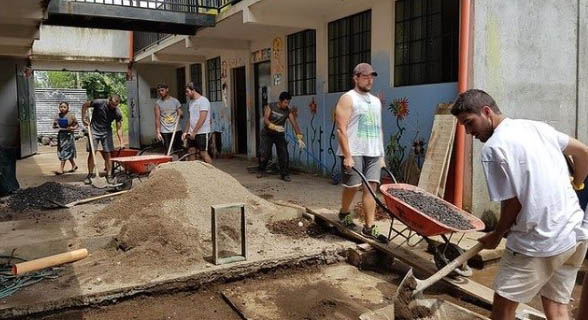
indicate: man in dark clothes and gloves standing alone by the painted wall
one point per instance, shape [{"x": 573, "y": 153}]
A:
[{"x": 273, "y": 132}]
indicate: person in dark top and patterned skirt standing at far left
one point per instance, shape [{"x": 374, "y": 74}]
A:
[{"x": 66, "y": 143}]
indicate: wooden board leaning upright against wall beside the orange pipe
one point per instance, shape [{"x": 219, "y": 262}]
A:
[{"x": 434, "y": 171}]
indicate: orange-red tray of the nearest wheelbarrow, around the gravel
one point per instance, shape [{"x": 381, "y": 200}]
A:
[{"x": 419, "y": 221}]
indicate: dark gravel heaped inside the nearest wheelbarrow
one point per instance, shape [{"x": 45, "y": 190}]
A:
[{"x": 432, "y": 207}]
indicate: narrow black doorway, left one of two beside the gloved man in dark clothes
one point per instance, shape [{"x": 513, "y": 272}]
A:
[{"x": 240, "y": 110}]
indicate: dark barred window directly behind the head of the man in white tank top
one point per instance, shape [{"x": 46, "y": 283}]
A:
[{"x": 349, "y": 44}]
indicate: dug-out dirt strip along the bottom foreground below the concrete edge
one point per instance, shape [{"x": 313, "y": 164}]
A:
[{"x": 320, "y": 292}]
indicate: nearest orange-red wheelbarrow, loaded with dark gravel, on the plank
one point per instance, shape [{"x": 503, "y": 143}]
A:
[{"x": 423, "y": 225}]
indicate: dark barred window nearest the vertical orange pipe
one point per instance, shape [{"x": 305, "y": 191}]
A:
[{"x": 426, "y": 41}]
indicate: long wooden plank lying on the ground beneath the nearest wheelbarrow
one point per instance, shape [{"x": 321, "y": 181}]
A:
[{"x": 425, "y": 266}]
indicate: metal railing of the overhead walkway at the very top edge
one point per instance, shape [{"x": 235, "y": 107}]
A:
[{"x": 191, "y": 6}]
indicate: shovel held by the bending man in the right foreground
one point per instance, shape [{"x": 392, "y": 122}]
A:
[{"x": 410, "y": 283}]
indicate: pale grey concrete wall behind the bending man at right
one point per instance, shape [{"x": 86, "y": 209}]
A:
[{"x": 525, "y": 56}]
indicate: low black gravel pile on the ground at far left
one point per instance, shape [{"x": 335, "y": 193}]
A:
[{"x": 38, "y": 197}]
